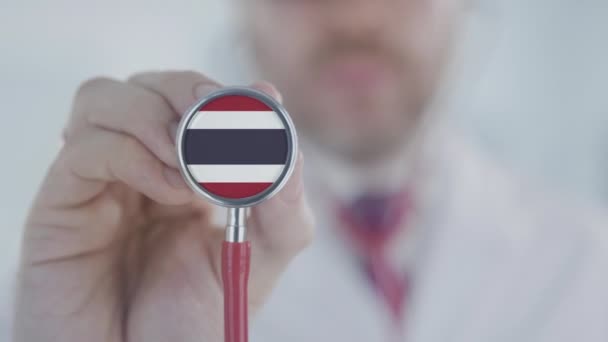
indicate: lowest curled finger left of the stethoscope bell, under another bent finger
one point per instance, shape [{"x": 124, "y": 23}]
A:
[{"x": 83, "y": 169}]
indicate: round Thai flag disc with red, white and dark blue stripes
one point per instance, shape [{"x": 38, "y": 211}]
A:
[{"x": 235, "y": 146}]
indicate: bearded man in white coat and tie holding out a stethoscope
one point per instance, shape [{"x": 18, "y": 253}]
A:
[{"x": 420, "y": 237}]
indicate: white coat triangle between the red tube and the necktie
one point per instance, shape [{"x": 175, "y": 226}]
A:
[{"x": 321, "y": 297}]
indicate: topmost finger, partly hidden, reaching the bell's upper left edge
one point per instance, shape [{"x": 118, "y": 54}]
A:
[{"x": 180, "y": 89}]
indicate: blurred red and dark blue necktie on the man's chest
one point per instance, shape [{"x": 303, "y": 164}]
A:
[{"x": 369, "y": 222}]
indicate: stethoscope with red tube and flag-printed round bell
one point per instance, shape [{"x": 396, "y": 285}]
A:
[{"x": 236, "y": 147}]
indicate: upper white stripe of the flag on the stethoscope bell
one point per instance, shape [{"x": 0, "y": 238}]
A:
[{"x": 236, "y": 120}]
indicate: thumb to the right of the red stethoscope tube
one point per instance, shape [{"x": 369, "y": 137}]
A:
[{"x": 279, "y": 228}]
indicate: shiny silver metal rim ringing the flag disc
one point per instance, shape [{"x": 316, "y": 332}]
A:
[{"x": 292, "y": 146}]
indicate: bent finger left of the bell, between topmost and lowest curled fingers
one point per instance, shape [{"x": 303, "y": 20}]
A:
[{"x": 125, "y": 108}]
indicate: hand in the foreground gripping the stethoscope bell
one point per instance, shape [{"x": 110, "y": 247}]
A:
[{"x": 116, "y": 247}]
